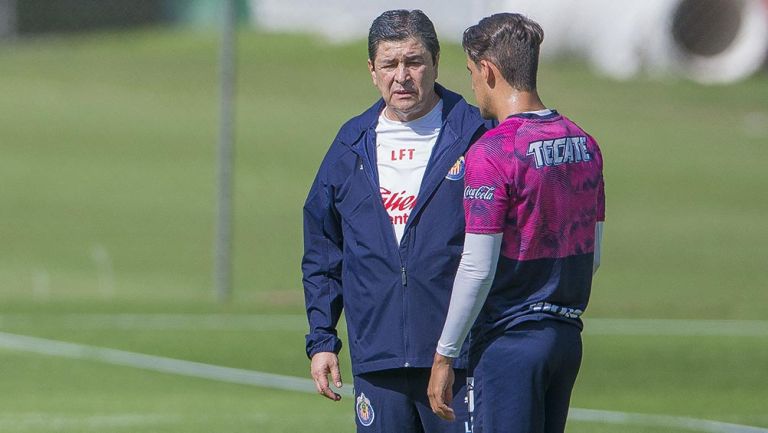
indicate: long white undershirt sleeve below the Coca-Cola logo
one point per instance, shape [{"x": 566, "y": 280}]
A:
[{"x": 470, "y": 289}]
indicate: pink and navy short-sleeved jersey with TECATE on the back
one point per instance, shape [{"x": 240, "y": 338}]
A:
[{"x": 538, "y": 180}]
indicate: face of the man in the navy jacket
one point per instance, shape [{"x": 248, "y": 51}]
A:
[{"x": 405, "y": 74}]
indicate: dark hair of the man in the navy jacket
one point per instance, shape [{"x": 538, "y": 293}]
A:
[{"x": 399, "y": 25}]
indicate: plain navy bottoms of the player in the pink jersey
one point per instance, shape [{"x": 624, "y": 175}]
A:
[{"x": 523, "y": 379}]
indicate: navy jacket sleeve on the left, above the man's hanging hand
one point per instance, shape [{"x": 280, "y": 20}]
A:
[{"x": 321, "y": 265}]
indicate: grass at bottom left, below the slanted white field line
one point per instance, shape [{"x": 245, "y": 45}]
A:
[{"x": 83, "y": 390}]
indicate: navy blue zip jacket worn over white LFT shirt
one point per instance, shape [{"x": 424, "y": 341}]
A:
[{"x": 395, "y": 296}]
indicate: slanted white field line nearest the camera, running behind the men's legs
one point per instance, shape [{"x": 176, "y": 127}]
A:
[{"x": 288, "y": 383}]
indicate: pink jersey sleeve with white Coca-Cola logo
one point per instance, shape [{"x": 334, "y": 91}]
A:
[{"x": 486, "y": 189}]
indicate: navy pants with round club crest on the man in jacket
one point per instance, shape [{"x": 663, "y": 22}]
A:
[{"x": 395, "y": 401}]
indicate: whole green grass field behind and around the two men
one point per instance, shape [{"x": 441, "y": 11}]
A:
[{"x": 107, "y": 181}]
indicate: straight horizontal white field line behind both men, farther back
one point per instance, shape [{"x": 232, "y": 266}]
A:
[{"x": 297, "y": 322}]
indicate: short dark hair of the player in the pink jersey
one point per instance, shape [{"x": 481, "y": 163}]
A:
[{"x": 511, "y": 42}]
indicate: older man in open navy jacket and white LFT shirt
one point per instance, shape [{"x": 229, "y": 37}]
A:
[{"x": 383, "y": 232}]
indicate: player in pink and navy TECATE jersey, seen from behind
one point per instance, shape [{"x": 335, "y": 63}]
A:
[{"x": 534, "y": 206}]
